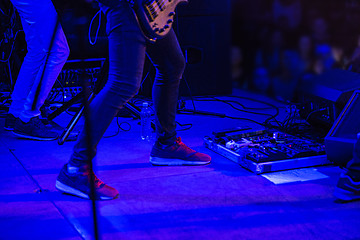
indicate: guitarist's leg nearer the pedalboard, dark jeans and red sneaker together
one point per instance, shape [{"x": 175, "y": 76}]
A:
[{"x": 169, "y": 61}]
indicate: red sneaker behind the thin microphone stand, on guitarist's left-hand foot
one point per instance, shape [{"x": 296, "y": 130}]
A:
[{"x": 76, "y": 181}]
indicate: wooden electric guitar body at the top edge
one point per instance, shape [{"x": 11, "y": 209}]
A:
[{"x": 156, "y": 16}]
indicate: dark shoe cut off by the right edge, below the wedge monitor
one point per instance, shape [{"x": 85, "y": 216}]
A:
[{"x": 347, "y": 189}]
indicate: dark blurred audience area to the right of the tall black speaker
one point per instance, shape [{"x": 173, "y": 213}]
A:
[{"x": 278, "y": 44}]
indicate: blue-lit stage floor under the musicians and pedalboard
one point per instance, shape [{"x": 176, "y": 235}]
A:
[{"x": 218, "y": 201}]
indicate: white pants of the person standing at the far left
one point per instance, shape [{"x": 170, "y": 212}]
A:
[{"x": 47, "y": 53}]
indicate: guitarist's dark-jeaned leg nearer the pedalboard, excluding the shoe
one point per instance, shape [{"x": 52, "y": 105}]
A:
[{"x": 169, "y": 62}]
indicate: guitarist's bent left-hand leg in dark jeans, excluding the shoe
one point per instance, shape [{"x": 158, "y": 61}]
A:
[{"x": 126, "y": 61}]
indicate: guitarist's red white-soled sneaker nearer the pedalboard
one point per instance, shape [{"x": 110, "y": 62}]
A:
[{"x": 177, "y": 154}]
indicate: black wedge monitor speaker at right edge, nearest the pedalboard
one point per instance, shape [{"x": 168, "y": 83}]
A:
[{"x": 341, "y": 138}]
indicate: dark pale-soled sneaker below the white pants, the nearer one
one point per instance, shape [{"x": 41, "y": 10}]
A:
[{"x": 34, "y": 129}]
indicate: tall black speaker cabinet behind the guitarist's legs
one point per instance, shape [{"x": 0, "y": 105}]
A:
[{"x": 204, "y": 33}]
